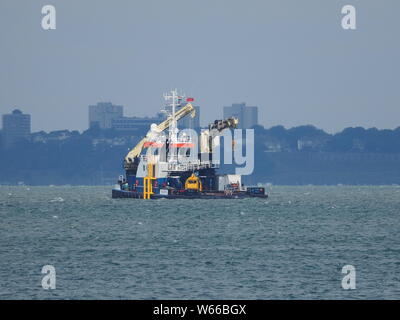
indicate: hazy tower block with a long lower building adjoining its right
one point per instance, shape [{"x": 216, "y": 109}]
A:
[{"x": 102, "y": 115}]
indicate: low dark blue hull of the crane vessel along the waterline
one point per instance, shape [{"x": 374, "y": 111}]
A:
[{"x": 185, "y": 195}]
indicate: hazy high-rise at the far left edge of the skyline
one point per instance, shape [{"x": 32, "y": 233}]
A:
[{"x": 16, "y": 127}]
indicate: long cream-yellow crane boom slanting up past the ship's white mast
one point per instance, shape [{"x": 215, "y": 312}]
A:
[{"x": 137, "y": 150}]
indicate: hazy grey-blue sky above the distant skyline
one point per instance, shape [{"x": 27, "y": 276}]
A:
[{"x": 290, "y": 58}]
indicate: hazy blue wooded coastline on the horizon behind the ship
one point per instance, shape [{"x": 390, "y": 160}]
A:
[{"x": 296, "y": 156}]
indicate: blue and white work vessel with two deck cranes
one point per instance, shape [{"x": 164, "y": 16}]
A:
[{"x": 168, "y": 163}]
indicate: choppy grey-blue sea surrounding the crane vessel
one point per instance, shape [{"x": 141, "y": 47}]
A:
[{"x": 292, "y": 245}]
